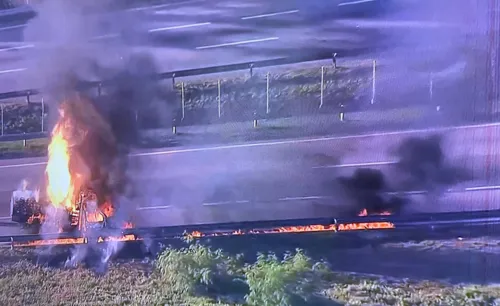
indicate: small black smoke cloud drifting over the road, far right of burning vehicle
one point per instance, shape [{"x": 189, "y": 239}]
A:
[{"x": 421, "y": 166}]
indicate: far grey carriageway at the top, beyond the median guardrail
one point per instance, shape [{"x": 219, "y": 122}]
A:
[{"x": 198, "y": 33}]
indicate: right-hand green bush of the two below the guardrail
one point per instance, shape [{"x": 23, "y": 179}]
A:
[{"x": 282, "y": 282}]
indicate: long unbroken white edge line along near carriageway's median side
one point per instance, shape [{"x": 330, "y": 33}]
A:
[{"x": 288, "y": 142}]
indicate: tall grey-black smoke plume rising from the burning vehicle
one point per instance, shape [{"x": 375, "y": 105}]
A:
[{"x": 74, "y": 43}]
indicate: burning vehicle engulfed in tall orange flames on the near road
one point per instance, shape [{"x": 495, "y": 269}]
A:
[{"x": 81, "y": 175}]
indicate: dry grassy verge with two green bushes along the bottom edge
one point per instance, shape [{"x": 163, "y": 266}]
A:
[{"x": 198, "y": 275}]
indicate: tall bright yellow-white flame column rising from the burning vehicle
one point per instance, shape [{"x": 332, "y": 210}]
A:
[{"x": 60, "y": 188}]
